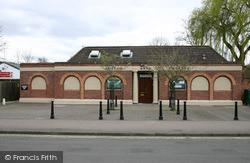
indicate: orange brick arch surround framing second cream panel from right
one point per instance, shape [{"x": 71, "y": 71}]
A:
[{"x": 209, "y": 91}]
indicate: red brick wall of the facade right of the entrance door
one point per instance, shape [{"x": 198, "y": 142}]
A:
[{"x": 235, "y": 94}]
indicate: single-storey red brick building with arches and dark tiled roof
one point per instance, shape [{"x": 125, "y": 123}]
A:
[{"x": 83, "y": 80}]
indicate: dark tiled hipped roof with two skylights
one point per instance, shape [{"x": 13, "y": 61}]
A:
[{"x": 143, "y": 54}]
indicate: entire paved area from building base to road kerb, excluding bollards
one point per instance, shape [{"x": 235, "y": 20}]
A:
[{"x": 141, "y": 119}]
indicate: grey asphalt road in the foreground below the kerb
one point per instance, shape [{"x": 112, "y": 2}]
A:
[{"x": 113, "y": 149}]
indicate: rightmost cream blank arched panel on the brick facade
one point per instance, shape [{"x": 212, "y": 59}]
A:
[{"x": 222, "y": 83}]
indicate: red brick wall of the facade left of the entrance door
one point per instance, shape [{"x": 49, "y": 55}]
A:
[{"x": 53, "y": 85}]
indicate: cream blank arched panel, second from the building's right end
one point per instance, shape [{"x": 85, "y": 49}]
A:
[{"x": 199, "y": 83}]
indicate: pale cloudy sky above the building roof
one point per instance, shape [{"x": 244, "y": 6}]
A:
[{"x": 58, "y": 29}]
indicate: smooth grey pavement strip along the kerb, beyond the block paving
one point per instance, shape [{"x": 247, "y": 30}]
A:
[{"x": 136, "y": 128}]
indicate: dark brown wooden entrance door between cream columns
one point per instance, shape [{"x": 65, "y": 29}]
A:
[{"x": 145, "y": 88}]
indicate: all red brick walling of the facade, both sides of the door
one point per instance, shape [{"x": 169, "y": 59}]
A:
[{"x": 53, "y": 80}]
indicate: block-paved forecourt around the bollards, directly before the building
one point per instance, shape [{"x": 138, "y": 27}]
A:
[{"x": 136, "y": 112}]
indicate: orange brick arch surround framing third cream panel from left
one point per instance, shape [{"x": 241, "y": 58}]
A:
[{"x": 94, "y": 75}]
